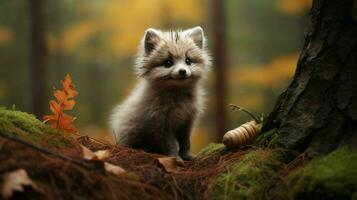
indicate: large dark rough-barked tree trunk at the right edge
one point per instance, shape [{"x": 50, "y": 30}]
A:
[{"x": 318, "y": 111}]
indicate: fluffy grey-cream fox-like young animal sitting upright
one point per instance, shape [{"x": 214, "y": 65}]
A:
[{"x": 160, "y": 113}]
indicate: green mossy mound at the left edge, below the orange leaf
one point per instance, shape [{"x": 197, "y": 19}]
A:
[{"x": 27, "y": 126}]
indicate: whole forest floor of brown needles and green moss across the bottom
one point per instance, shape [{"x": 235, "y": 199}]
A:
[{"x": 55, "y": 163}]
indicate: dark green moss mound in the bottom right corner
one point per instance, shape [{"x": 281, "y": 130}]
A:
[{"x": 333, "y": 176}]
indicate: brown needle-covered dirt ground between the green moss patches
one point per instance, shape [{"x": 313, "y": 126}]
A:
[{"x": 62, "y": 173}]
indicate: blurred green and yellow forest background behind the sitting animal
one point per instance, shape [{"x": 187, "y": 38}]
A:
[{"x": 255, "y": 45}]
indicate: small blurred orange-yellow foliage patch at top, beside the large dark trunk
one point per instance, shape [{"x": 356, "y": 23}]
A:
[{"x": 294, "y": 7}]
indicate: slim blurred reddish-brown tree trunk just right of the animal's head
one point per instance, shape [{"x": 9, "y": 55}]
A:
[{"x": 220, "y": 67}]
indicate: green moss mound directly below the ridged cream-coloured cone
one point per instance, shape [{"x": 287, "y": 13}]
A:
[{"x": 248, "y": 178}]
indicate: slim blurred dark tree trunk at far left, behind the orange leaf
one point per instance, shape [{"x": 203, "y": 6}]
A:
[{"x": 38, "y": 51}]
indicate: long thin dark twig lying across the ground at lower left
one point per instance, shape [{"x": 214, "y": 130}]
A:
[{"x": 83, "y": 163}]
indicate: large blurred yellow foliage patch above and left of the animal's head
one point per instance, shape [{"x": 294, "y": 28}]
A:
[{"x": 124, "y": 23}]
